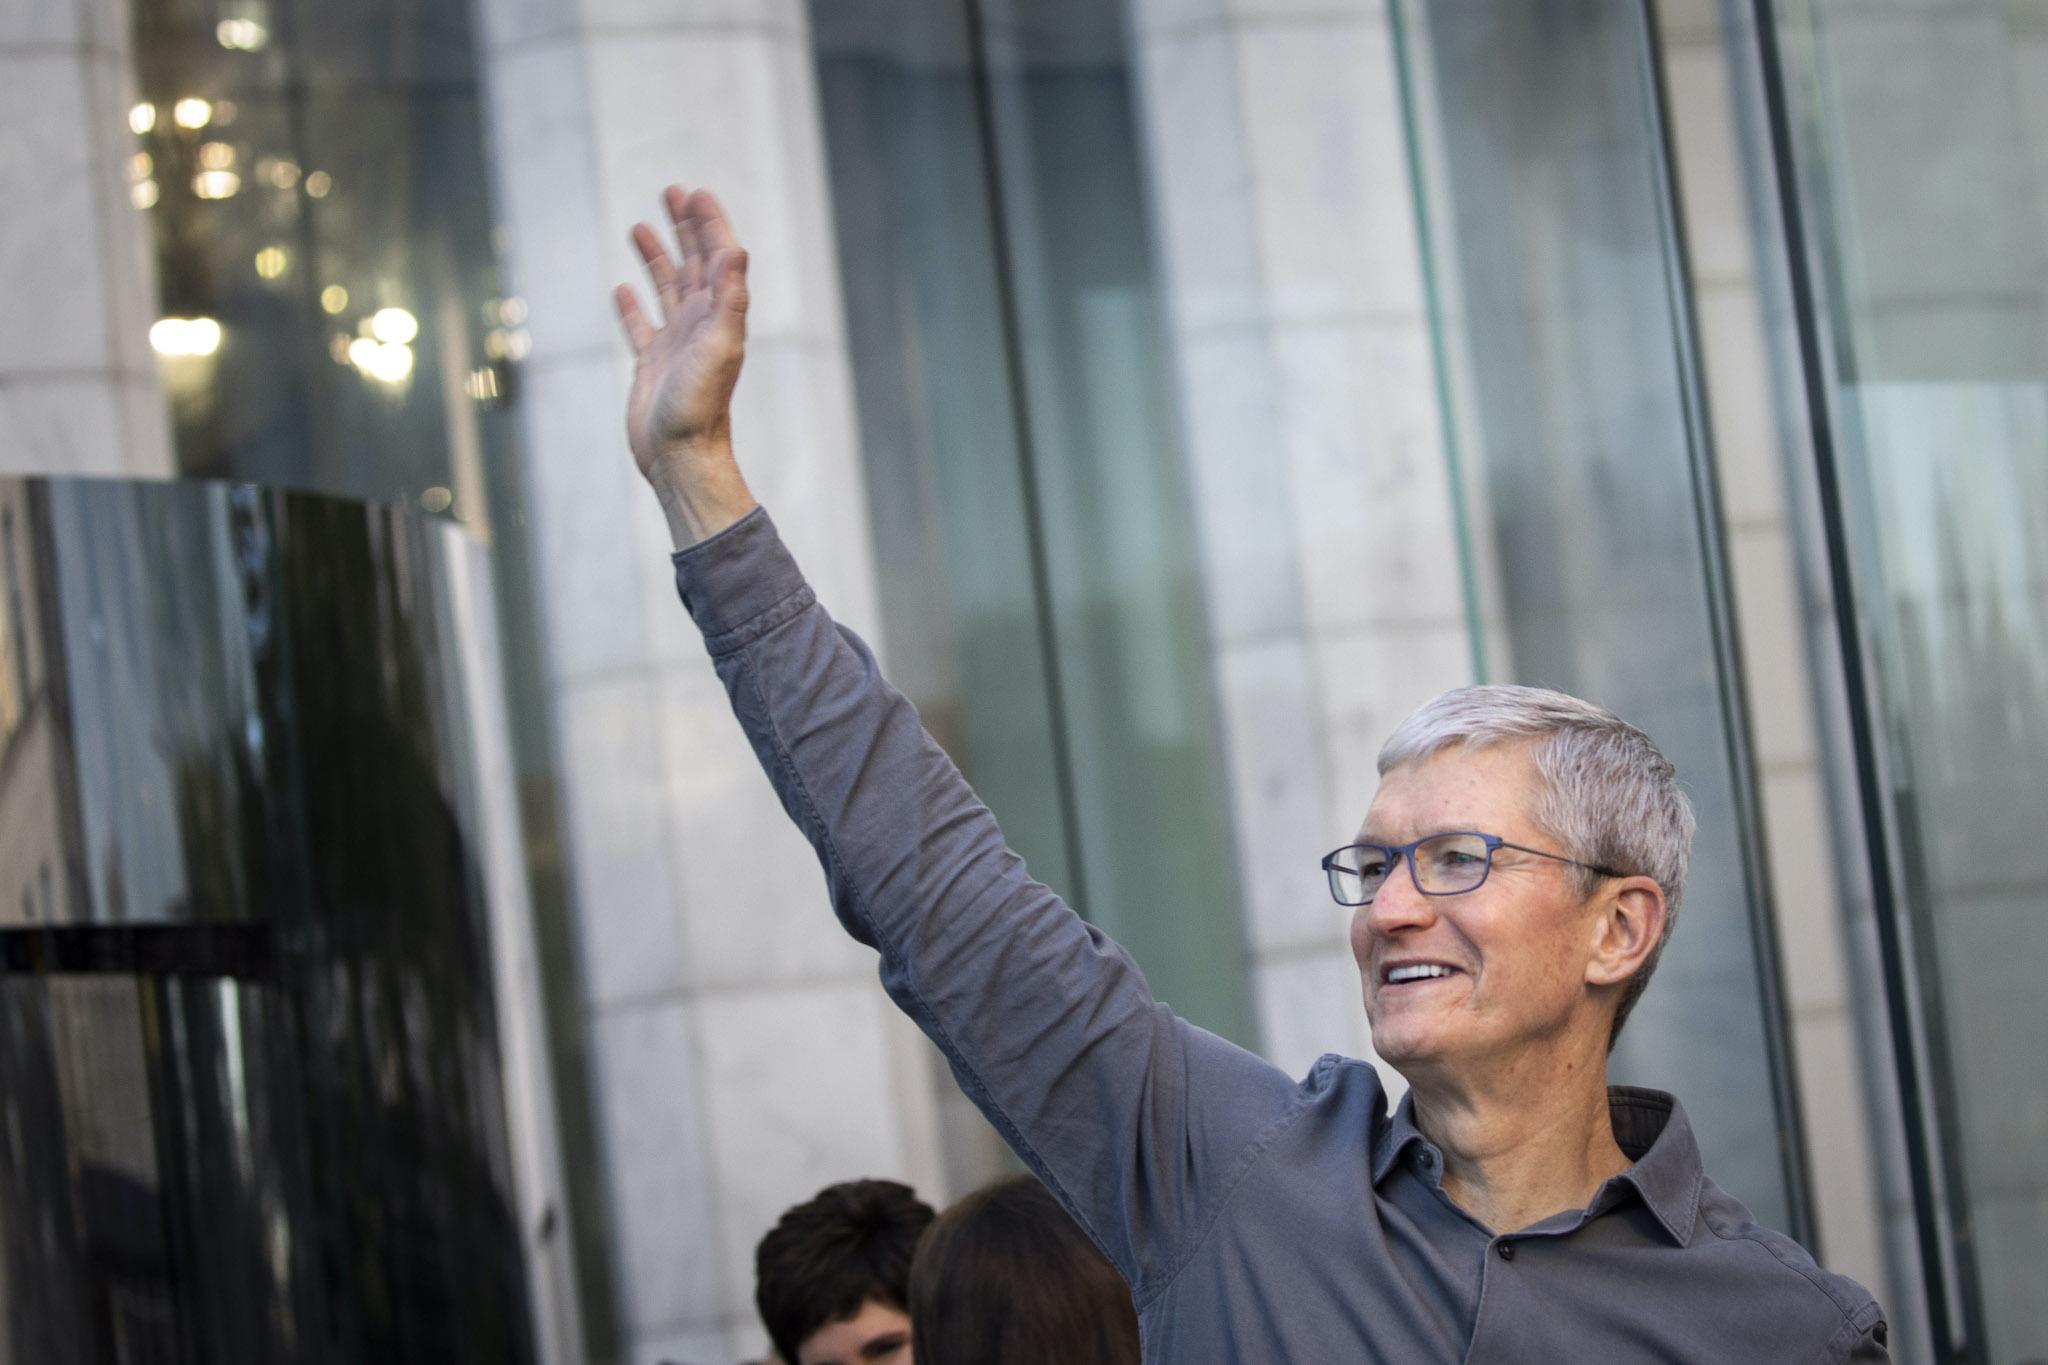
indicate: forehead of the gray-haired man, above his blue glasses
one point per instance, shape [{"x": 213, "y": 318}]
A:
[{"x": 1490, "y": 789}]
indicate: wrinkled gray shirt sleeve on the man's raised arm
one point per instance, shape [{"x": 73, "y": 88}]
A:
[{"x": 1132, "y": 1116}]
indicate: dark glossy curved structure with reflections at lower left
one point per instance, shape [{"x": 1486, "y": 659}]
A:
[{"x": 249, "y": 1059}]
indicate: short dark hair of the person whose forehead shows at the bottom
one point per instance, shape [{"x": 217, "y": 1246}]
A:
[{"x": 826, "y": 1258}]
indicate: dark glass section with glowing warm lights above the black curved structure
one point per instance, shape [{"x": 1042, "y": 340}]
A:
[{"x": 314, "y": 177}]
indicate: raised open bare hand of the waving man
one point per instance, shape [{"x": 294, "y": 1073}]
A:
[{"x": 679, "y": 416}]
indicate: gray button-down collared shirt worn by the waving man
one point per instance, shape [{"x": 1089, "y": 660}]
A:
[{"x": 1256, "y": 1219}]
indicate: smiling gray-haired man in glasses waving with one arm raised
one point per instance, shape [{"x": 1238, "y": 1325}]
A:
[{"x": 1512, "y": 889}]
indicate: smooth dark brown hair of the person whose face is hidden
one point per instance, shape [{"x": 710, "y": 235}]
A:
[{"x": 1007, "y": 1278}]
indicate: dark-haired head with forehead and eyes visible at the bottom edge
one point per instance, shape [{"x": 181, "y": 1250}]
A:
[{"x": 833, "y": 1276}]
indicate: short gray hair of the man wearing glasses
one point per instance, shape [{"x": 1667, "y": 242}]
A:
[{"x": 1609, "y": 795}]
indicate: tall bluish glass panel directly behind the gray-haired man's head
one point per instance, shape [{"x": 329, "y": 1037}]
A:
[{"x": 1553, "y": 265}]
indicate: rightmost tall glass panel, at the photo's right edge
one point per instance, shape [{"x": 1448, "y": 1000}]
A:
[{"x": 1924, "y": 179}]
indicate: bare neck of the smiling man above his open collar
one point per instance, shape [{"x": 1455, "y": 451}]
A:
[{"x": 1523, "y": 1143}]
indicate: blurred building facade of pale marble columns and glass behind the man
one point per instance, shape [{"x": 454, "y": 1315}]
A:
[{"x": 1179, "y": 394}]
